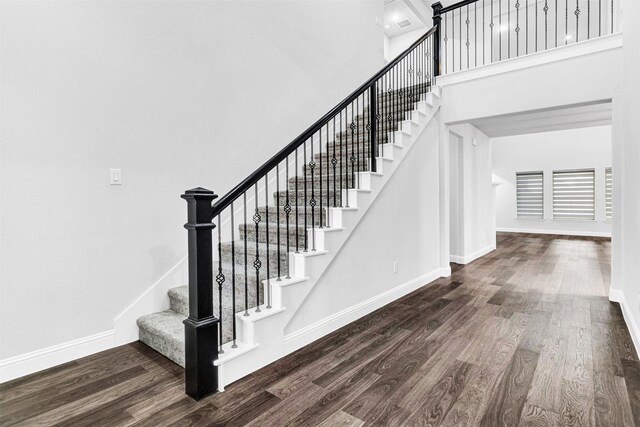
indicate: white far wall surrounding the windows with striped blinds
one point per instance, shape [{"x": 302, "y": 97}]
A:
[{"x": 586, "y": 148}]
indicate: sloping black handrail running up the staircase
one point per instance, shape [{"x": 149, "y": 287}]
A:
[{"x": 259, "y": 173}]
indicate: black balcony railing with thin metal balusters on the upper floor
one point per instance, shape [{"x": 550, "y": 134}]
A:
[{"x": 479, "y": 32}]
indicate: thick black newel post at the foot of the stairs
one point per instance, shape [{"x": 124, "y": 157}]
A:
[{"x": 201, "y": 327}]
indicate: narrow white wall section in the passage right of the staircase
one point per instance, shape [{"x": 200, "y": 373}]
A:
[{"x": 476, "y": 194}]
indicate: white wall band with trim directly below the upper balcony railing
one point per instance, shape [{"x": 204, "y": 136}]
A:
[{"x": 579, "y": 73}]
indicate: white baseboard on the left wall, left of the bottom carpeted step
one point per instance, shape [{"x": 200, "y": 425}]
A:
[{"x": 28, "y": 363}]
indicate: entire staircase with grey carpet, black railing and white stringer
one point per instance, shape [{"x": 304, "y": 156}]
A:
[{"x": 257, "y": 252}]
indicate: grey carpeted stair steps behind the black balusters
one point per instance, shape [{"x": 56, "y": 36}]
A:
[{"x": 164, "y": 331}]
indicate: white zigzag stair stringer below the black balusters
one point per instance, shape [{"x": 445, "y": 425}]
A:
[{"x": 262, "y": 335}]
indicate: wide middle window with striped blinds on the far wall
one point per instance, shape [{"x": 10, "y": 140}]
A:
[{"x": 574, "y": 194}]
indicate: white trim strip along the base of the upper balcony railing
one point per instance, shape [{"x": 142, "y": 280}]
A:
[{"x": 560, "y": 53}]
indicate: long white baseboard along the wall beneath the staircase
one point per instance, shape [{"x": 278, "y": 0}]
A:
[{"x": 337, "y": 320}]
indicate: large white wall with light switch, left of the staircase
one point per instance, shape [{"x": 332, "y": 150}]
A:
[{"x": 177, "y": 94}]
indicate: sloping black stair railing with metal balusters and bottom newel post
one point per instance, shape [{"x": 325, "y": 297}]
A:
[{"x": 271, "y": 212}]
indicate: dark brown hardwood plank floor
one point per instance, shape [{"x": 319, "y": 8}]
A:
[{"x": 523, "y": 336}]
